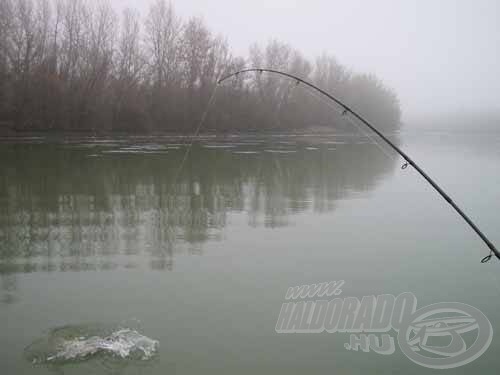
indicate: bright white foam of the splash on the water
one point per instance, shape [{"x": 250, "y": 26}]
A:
[{"x": 123, "y": 343}]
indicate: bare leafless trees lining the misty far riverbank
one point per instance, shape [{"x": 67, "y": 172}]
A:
[{"x": 80, "y": 65}]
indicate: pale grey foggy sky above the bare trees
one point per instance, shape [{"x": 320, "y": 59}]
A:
[{"x": 439, "y": 55}]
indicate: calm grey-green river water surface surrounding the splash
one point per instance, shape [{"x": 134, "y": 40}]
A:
[{"x": 198, "y": 252}]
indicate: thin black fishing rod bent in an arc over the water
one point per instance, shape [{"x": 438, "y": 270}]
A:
[{"x": 408, "y": 161}]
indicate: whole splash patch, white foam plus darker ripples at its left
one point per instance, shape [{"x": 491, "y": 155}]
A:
[{"x": 69, "y": 344}]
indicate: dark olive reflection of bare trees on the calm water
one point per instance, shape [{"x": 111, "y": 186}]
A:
[{"x": 88, "y": 205}]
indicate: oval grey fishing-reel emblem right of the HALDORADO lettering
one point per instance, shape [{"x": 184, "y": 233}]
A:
[{"x": 444, "y": 323}]
